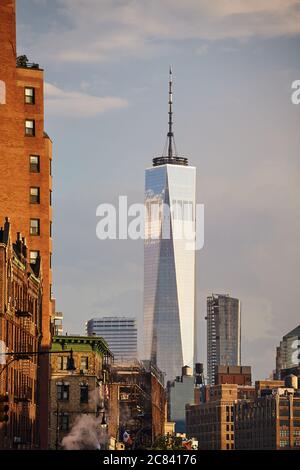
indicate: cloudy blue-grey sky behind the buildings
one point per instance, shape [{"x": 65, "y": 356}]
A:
[{"x": 106, "y": 70}]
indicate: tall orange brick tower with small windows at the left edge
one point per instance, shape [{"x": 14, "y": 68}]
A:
[{"x": 25, "y": 166}]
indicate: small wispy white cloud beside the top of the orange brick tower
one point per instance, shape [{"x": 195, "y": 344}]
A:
[{"x": 78, "y": 104}]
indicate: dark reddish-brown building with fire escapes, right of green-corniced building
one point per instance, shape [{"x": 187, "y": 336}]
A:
[{"x": 137, "y": 402}]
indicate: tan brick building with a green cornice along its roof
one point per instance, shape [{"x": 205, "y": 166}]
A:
[{"x": 83, "y": 391}]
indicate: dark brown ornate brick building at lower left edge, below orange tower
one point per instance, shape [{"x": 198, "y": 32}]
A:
[{"x": 20, "y": 330}]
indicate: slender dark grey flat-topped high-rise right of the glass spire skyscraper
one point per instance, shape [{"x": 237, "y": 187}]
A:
[{"x": 223, "y": 333}]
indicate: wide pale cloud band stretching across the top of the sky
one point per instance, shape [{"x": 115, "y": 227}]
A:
[{"x": 101, "y": 30}]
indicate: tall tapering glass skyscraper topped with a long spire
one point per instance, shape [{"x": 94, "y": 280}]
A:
[{"x": 169, "y": 264}]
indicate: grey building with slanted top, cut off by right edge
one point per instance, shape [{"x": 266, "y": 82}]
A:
[{"x": 288, "y": 352}]
